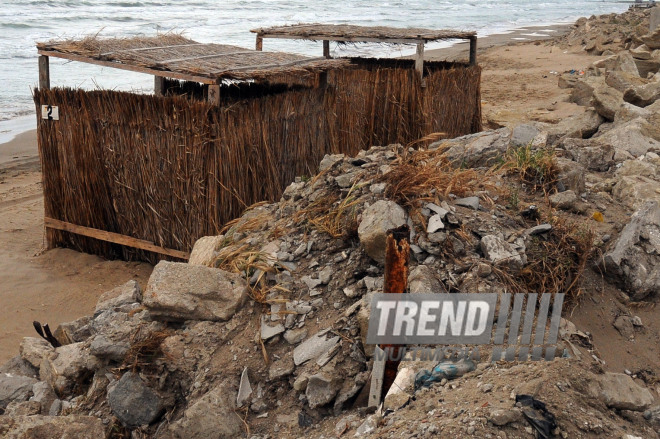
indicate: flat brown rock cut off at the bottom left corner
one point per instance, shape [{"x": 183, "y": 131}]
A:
[{"x": 49, "y": 427}]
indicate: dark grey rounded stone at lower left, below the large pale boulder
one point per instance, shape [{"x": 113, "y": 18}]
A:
[{"x": 133, "y": 402}]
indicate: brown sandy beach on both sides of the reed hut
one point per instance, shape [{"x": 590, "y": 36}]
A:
[{"x": 61, "y": 285}]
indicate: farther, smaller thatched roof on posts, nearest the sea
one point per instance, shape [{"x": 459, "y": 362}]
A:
[{"x": 346, "y": 32}]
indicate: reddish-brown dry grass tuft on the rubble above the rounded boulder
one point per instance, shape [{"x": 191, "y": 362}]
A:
[{"x": 427, "y": 175}]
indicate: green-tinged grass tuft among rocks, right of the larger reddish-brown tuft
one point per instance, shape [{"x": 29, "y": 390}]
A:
[{"x": 535, "y": 168}]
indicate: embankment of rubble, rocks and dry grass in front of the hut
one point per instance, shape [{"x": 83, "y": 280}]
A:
[{"x": 262, "y": 334}]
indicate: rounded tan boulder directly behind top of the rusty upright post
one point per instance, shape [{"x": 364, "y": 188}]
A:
[{"x": 377, "y": 219}]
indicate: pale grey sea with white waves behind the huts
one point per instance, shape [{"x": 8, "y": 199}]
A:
[{"x": 24, "y": 22}]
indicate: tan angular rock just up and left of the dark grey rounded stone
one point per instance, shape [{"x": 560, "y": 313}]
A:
[{"x": 66, "y": 366}]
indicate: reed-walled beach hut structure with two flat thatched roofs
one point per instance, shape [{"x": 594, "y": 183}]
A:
[{"x": 143, "y": 176}]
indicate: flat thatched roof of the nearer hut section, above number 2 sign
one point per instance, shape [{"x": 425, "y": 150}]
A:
[{"x": 177, "y": 57}]
